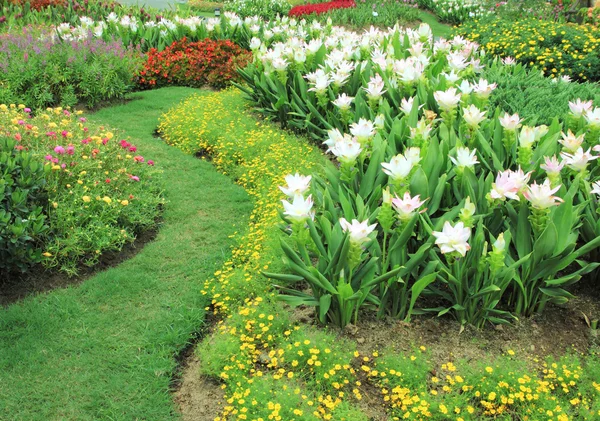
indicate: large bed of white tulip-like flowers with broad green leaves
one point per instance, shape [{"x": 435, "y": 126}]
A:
[{"x": 424, "y": 162}]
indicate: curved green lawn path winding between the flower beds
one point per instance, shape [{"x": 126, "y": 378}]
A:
[{"x": 105, "y": 349}]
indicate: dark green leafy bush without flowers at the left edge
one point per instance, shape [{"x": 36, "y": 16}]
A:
[{"x": 22, "y": 204}]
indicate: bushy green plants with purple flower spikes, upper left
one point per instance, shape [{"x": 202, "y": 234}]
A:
[{"x": 53, "y": 72}]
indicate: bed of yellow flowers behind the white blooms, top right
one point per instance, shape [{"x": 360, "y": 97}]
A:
[{"x": 558, "y": 49}]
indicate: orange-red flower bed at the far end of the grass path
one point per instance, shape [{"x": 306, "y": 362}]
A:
[{"x": 195, "y": 64}]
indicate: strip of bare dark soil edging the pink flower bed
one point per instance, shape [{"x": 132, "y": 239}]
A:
[{"x": 41, "y": 280}]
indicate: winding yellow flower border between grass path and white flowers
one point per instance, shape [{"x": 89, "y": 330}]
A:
[{"x": 274, "y": 368}]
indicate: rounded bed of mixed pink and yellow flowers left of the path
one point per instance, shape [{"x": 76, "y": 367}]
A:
[{"x": 101, "y": 191}]
